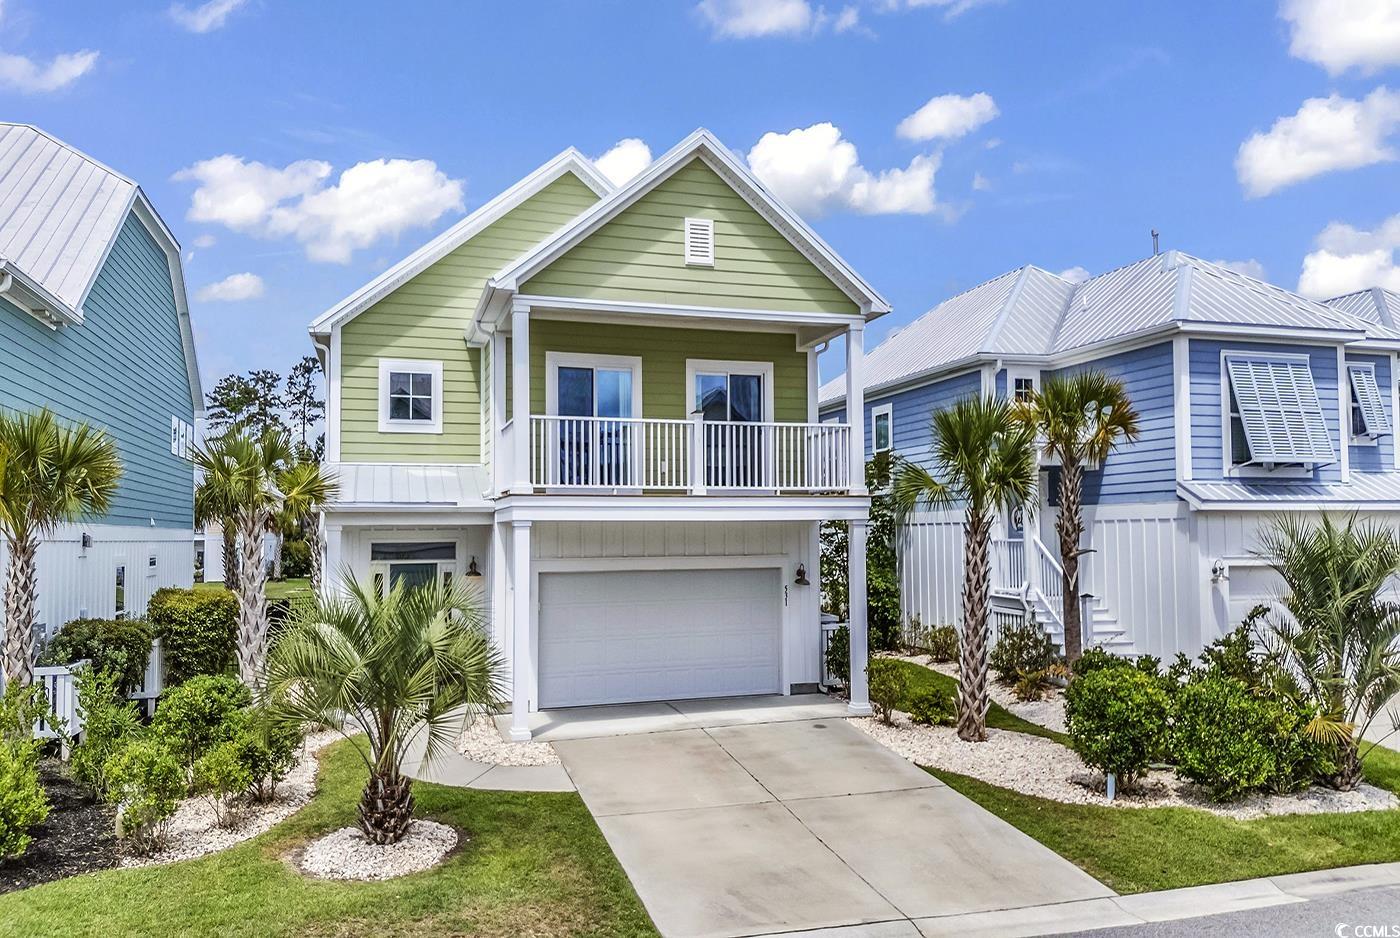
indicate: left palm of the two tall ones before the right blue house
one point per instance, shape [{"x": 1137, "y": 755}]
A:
[{"x": 985, "y": 461}]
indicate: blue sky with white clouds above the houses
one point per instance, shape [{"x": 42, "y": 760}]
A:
[{"x": 239, "y": 118}]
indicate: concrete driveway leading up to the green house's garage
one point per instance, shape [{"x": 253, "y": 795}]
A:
[{"x": 800, "y": 825}]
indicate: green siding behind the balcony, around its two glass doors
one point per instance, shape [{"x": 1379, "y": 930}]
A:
[{"x": 664, "y": 353}]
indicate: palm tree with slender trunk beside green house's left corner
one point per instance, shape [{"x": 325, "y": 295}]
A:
[{"x": 254, "y": 478}]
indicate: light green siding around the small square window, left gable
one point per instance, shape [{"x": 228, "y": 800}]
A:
[{"x": 428, "y": 318}]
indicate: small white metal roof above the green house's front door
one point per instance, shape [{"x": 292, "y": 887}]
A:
[{"x": 383, "y": 485}]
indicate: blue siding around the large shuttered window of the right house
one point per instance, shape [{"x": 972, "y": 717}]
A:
[{"x": 1207, "y": 408}]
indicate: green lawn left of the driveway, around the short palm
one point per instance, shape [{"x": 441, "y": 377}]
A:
[{"x": 535, "y": 864}]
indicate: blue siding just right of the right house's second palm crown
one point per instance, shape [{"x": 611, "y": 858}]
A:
[{"x": 1143, "y": 470}]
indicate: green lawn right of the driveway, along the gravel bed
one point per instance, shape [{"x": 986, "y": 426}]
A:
[{"x": 1150, "y": 849}]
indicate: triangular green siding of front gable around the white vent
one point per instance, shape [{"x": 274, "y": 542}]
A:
[{"x": 639, "y": 255}]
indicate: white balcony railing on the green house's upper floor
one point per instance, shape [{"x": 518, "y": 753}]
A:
[{"x": 688, "y": 456}]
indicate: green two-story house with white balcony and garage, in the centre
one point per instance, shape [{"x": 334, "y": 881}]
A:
[{"x": 600, "y": 404}]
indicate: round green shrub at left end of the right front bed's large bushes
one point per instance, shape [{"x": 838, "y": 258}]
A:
[{"x": 1118, "y": 720}]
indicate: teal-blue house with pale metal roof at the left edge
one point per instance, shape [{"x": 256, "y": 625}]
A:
[{"x": 94, "y": 325}]
